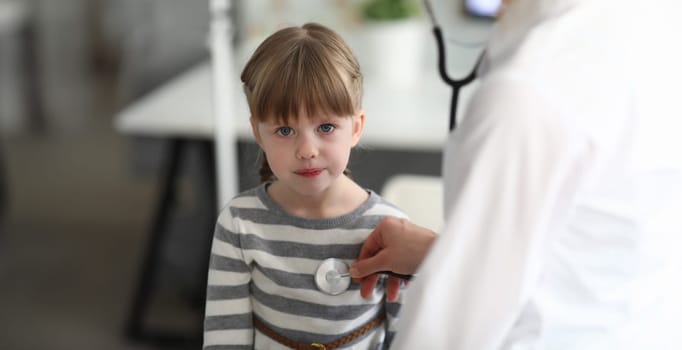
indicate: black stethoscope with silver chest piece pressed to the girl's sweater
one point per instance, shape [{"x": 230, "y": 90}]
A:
[{"x": 331, "y": 276}]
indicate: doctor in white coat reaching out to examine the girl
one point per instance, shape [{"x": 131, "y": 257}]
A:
[{"x": 563, "y": 191}]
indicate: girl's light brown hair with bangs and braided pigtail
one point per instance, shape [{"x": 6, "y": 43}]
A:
[{"x": 308, "y": 69}]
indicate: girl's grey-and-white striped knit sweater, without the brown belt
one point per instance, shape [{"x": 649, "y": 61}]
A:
[{"x": 263, "y": 262}]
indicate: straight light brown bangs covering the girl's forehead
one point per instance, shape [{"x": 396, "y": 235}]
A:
[{"x": 305, "y": 80}]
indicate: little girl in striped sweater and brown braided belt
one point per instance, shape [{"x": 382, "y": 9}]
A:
[{"x": 304, "y": 89}]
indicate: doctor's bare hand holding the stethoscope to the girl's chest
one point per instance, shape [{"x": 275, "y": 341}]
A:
[{"x": 396, "y": 245}]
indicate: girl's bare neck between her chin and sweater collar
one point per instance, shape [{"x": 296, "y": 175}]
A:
[{"x": 342, "y": 198}]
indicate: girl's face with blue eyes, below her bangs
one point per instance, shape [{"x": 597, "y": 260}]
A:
[{"x": 309, "y": 154}]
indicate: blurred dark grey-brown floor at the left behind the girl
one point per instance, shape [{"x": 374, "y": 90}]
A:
[{"x": 73, "y": 240}]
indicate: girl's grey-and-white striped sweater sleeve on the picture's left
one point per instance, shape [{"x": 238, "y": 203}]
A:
[{"x": 228, "y": 322}]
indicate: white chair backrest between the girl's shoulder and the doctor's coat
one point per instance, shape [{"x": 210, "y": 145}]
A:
[{"x": 419, "y": 196}]
